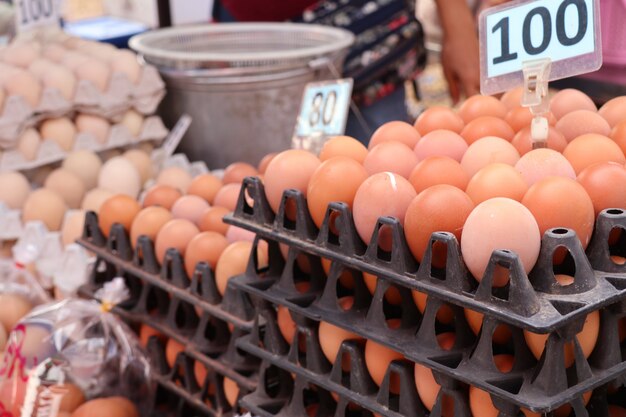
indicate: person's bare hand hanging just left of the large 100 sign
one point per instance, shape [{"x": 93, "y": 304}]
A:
[{"x": 460, "y": 60}]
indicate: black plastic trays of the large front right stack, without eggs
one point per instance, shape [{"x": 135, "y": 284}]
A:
[{"x": 535, "y": 302}]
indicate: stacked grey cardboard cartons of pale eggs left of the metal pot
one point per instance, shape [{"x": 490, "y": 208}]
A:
[{"x": 63, "y": 94}]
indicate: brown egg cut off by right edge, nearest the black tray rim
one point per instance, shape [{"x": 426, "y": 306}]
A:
[{"x": 605, "y": 184}]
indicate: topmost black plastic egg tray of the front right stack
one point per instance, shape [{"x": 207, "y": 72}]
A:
[{"x": 534, "y": 302}]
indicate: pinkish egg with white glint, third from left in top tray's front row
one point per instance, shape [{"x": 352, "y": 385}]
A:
[{"x": 383, "y": 194}]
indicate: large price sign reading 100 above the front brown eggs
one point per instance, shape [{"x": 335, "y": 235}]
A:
[{"x": 567, "y": 32}]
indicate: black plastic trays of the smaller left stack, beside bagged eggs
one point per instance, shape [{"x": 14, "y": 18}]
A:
[{"x": 188, "y": 310}]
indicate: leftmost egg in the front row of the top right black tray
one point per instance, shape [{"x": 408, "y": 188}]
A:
[{"x": 289, "y": 169}]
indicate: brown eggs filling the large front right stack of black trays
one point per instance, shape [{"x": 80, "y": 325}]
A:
[{"x": 472, "y": 173}]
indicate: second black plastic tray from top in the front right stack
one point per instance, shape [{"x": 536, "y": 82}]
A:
[{"x": 539, "y": 385}]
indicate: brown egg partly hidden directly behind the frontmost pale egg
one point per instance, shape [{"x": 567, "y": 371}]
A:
[{"x": 496, "y": 180}]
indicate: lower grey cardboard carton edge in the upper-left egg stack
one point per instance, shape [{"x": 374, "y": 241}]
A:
[{"x": 49, "y": 152}]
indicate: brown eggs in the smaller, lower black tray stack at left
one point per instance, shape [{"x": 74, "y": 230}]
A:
[{"x": 185, "y": 213}]
